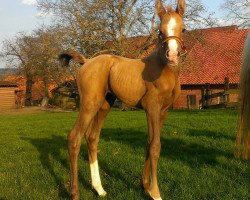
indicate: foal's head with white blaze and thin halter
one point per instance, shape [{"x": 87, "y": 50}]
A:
[{"x": 170, "y": 30}]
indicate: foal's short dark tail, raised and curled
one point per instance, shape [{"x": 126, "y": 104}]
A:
[{"x": 66, "y": 56}]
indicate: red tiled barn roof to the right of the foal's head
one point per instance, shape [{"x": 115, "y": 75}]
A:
[{"x": 213, "y": 54}]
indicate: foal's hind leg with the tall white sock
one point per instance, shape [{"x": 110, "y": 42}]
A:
[{"x": 92, "y": 139}]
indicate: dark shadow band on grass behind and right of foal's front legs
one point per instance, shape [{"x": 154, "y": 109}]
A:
[{"x": 173, "y": 148}]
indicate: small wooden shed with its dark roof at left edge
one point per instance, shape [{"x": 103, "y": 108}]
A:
[{"x": 7, "y": 95}]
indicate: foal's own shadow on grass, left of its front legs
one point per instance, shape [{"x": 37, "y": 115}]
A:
[{"x": 50, "y": 148}]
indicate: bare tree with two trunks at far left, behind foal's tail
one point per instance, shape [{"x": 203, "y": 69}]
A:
[{"x": 36, "y": 57}]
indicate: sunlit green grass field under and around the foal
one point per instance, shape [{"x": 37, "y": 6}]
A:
[{"x": 196, "y": 161}]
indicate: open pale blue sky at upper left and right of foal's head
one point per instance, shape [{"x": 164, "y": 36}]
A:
[{"x": 22, "y": 16}]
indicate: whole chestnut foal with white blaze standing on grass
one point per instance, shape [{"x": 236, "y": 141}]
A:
[{"x": 151, "y": 83}]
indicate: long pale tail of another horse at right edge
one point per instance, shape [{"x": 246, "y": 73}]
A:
[{"x": 243, "y": 132}]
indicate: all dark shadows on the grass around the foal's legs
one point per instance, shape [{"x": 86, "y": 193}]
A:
[{"x": 173, "y": 148}]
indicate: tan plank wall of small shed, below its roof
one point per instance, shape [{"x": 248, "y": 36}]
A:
[{"x": 7, "y": 97}]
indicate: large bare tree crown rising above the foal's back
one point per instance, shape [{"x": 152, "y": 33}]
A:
[{"x": 91, "y": 24}]
